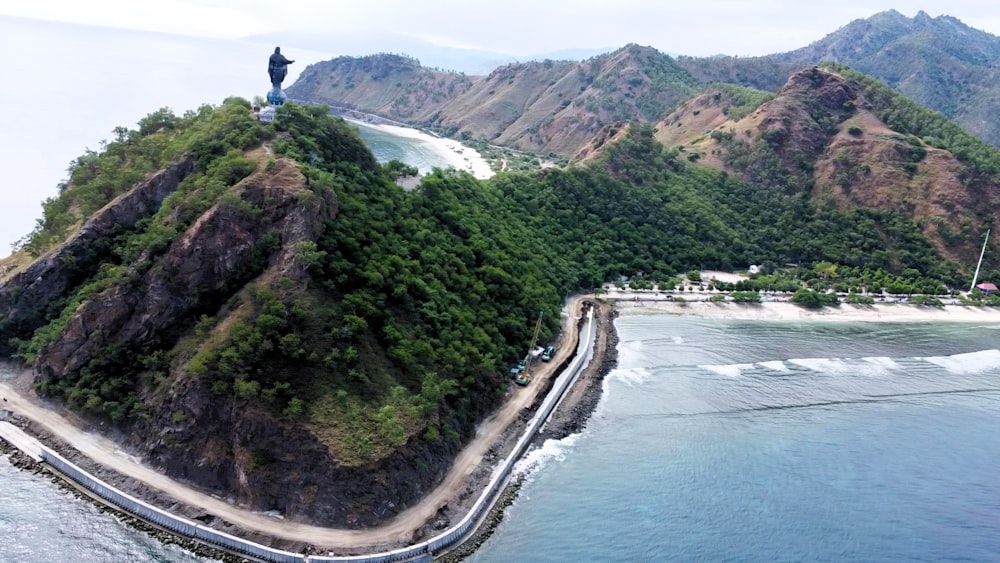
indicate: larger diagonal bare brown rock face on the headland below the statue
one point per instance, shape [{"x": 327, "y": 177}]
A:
[{"x": 214, "y": 257}]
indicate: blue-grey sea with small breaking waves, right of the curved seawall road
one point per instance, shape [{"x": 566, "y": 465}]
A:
[{"x": 736, "y": 441}]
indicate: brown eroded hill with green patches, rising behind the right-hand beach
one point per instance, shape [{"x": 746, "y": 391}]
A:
[{"x": 821, "y": 135}]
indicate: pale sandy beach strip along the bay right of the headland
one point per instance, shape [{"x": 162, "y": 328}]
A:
[{"x": 783, "y": 311}]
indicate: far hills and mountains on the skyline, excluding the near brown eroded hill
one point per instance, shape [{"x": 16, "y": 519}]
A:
[{"x": 938, "y": 62}]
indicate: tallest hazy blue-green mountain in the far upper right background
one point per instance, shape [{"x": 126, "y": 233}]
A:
[{"x": 940, "y": 63}]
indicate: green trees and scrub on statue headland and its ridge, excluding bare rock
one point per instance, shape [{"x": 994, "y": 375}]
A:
[{"x": 414, "y": 303}]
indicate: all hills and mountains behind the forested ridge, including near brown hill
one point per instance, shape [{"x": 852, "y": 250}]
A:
[{"x": 829, "y": 131}]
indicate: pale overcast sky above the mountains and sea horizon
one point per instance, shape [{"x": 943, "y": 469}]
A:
[{"x": 703, "y": 27}]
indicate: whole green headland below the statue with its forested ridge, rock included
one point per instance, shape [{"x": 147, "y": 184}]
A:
[{"x": 265, "y": 297}]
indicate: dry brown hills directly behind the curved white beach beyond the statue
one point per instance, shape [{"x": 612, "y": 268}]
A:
[{"x": 543, "y": 107}]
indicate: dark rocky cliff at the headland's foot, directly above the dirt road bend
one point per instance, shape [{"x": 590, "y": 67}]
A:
[{"x": 265, "y": 463}]
